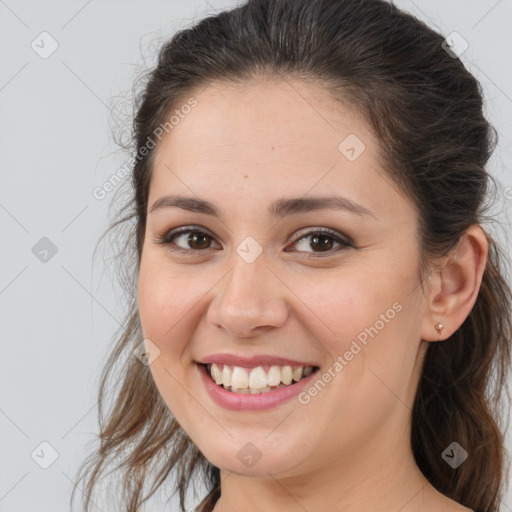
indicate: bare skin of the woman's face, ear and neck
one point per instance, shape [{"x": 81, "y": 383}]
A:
[{"x": 348, "y": 449}]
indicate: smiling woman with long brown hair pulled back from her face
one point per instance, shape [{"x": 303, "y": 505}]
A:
[{"x": 320, "y": 320}]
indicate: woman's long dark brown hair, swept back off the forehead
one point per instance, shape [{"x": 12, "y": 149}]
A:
[{"x": 426, "y": 110}]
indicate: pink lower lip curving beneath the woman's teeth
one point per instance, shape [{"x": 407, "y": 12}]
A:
[{"x": 247, "y": 402}]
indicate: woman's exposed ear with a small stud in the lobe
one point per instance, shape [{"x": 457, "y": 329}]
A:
[{"x": 453, "y": 288}]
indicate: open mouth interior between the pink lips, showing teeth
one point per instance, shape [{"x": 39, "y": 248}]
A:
[{"x": 256, "y": 381}]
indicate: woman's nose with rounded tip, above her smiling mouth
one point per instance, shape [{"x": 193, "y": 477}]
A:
[{"x": 249, "y": 300}]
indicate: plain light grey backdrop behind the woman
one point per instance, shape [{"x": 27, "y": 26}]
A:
[{"x": 57, "y": 317}]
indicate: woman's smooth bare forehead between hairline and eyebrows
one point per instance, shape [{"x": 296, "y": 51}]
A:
[{"x": 265, "y": 140}]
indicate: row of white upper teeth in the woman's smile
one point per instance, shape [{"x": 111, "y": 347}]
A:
[{"x": 256, "y": 378}]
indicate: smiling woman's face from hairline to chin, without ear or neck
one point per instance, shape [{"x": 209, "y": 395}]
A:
[{"x": 254, "y": 283}]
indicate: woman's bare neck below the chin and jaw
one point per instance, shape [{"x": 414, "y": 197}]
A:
[{"x": 352, "y": 485}]
